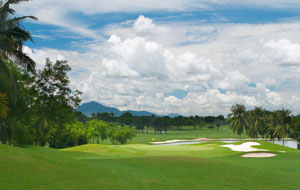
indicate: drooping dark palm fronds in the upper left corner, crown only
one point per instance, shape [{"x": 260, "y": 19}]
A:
[{"x": 13, "y": 35}]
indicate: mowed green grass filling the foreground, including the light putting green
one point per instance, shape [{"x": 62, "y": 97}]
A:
[{"x": 141, "y": 166}]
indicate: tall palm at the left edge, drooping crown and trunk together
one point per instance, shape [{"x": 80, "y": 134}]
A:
[{"x": 12, "y": 37}]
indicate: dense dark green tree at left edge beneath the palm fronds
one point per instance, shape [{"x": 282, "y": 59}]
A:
[{"x": 19, "y": 100}]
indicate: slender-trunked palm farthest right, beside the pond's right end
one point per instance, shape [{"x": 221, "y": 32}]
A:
[{"x": 283, "y": 127}]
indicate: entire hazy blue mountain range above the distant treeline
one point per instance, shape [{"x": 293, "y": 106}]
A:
[{"x": 95, "y": 107}]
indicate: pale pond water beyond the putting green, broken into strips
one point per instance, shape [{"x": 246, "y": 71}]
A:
[{"x": 287, "y": 143}]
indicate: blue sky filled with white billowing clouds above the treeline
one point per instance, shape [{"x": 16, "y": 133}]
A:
[{"x": 192, "y": 57}]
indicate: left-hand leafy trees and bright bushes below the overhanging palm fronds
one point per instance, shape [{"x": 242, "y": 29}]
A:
[{"x": 42, "y": 111}]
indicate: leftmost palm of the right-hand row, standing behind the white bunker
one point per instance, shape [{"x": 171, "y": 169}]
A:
[{"x": 237, "y": 119}]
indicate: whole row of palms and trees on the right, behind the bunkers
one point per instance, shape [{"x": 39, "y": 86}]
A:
[{"x": 260, "y": 123}]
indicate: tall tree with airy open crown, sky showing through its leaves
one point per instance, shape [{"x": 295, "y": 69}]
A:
[{"x": 54, "y": 99}]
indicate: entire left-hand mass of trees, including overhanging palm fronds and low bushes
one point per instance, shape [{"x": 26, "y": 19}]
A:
[{"x": 38, "y": 107}]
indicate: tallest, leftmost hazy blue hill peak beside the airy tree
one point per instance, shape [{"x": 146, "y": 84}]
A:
[{"x": 95, "y": 107}]
